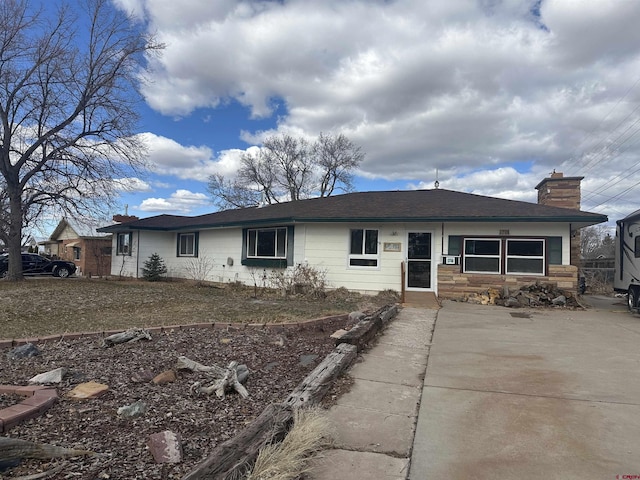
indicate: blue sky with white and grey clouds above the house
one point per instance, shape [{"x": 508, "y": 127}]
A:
[{"x": 485, "y": 96}]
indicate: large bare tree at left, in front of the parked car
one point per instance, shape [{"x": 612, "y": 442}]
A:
[{"x": 67, "y": 108}]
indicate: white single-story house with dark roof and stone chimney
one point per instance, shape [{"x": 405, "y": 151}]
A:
[{"x": 446, "y": 242}]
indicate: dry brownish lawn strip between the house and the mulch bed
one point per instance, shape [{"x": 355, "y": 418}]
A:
[{"x": 48, "y": 306}]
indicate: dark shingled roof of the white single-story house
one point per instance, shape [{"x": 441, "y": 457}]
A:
[{"x": 437, "y": 205}]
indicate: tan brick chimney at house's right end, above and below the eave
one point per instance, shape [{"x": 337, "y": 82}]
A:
[{"x": 564, "y": 192}]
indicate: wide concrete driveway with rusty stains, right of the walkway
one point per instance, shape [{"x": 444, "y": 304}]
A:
[{"x": 531, "y": 394}]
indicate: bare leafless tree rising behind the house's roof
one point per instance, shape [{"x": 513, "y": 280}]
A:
[{"x": 286, "y": 168}]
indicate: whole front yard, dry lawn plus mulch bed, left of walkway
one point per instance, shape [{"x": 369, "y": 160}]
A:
[{"x": 278, "y": 359}]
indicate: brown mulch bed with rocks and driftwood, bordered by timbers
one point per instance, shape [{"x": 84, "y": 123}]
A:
[{"x": 277, "y": 361}]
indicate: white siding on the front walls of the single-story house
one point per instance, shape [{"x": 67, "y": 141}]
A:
[{"x": 325, "y": 246}]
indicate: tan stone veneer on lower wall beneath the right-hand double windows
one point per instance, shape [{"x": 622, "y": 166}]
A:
[{"x": 453, "y": 285}]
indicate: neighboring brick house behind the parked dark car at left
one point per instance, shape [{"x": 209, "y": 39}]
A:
[{"x": 81, "y": 244}]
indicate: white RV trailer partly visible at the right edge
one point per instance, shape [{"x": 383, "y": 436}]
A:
[{"x": 627, "y": 268}]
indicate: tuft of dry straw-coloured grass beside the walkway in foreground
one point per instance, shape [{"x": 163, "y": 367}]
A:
[{"x": 288, "y": 460}]
